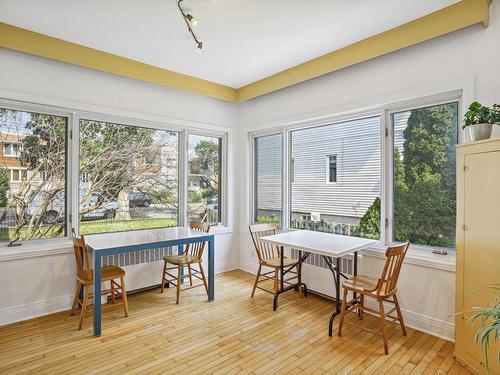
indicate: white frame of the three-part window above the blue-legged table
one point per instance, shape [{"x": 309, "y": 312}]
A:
[{"x": 73, "y": 163}]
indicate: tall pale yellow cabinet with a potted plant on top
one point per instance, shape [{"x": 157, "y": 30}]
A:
[{"x": 478, "y": 245}]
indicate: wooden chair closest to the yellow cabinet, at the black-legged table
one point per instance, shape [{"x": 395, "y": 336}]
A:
[{"x": 382, "y": 289}]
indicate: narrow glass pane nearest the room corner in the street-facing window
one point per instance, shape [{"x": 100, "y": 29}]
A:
[{"x": 204, "y": 178}]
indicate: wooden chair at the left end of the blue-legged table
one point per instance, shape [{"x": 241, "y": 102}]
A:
[{"x": 85, "y": 277}]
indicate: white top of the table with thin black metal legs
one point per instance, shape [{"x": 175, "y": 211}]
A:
[{"x": 328, "y": 244}]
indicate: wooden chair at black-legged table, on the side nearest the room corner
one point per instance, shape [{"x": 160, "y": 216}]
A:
[{"x": 269, "y": 257}]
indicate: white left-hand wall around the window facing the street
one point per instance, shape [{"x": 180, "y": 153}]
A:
[{"x": 46, "y": 284}]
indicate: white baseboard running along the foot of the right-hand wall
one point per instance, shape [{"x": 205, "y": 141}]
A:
[{"x": 420, "y": 322}]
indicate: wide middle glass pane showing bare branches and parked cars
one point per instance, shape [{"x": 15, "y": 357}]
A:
[{"x": 128, "y": 177}]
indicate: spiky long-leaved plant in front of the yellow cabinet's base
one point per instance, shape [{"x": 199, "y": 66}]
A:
[{"x": 489, "y": 319}]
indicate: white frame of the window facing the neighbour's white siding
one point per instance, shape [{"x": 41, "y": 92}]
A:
[{"x": 386, "y": 138}]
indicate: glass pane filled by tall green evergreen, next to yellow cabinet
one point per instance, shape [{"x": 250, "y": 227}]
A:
[{"x": 424, "y": 175}]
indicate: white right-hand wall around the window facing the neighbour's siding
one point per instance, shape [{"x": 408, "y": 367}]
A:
[{"x": 468, "y": 59}]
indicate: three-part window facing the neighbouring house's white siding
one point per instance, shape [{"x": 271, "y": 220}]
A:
[{"x": 390, "y": 176}]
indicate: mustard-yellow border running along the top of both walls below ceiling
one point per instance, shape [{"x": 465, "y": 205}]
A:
[{"x": 455, "y": 17}]
